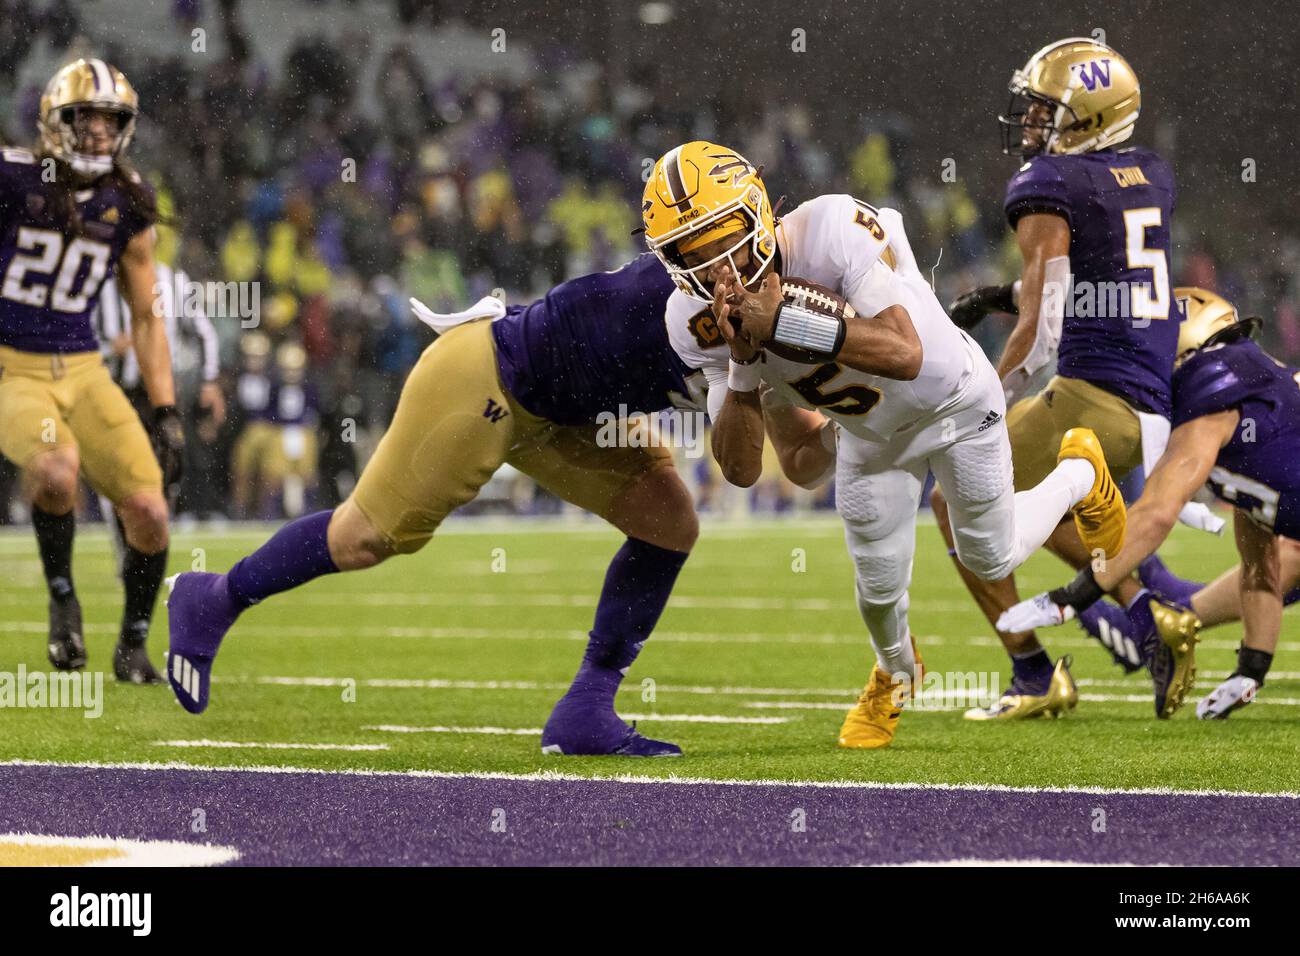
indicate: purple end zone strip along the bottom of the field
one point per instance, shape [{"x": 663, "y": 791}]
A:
[{"x": 301, "y": 819}]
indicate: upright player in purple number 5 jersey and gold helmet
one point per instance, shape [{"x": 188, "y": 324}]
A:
[{"x": 1087, "y": 207}]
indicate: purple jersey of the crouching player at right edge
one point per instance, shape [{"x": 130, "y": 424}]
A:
[{"x": 1259, "y": 470}]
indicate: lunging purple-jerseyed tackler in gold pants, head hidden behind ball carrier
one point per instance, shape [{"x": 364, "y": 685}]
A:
[{"x": 525, "y": 386}]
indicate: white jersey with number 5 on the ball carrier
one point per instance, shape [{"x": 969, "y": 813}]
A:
[{"x": 861, "y": 253}]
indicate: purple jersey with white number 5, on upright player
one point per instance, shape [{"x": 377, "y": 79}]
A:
[{"x": 1121, "y": 327}]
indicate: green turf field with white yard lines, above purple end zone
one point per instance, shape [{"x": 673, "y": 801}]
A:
[{"x": 484, "y": 629}]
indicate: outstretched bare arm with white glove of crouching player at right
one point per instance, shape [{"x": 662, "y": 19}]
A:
[{"x": 1184, "y": 469}]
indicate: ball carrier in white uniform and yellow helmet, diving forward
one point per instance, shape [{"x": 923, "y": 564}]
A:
[{"x": 904, "y": 388}]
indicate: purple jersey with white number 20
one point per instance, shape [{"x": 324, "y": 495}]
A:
[{"x": 50, "y": 280}]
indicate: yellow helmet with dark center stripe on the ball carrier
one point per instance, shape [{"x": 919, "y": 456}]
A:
[{"x": 697, "y": 194}]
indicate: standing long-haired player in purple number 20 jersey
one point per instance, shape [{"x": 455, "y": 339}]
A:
[{"x": 71, "y": 213}]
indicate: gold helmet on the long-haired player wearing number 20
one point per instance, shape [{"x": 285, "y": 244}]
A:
[{"x": 86, "y": 85}]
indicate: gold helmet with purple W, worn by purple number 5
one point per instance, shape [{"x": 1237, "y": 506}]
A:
[{"x": 1091, "y": 93}]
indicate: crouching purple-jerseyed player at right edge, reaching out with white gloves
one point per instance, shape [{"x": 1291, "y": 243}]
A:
[{"x": 1237, "y": 431}]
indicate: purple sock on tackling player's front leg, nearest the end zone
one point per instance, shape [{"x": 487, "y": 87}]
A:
[{"x": 636, "y": 590}]
